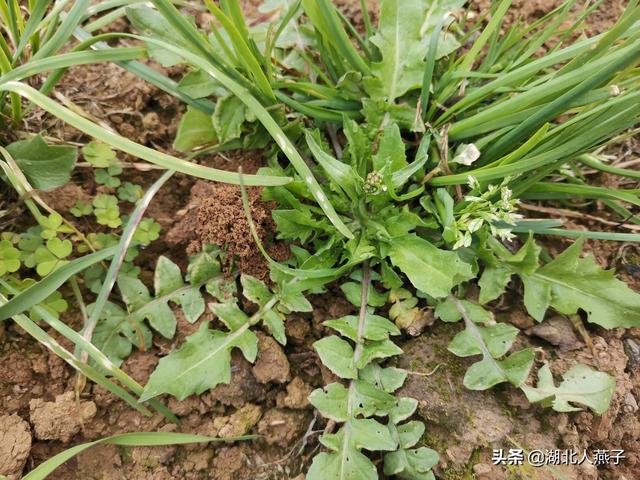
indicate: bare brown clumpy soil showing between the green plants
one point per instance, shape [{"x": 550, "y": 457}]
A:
[{"x": 40, "y": 416}]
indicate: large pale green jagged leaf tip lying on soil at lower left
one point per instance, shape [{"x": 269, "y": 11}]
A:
[{"x": 201, "y": 363}]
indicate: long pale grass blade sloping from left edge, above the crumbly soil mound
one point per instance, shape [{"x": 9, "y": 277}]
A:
[{"x": 140, "y": 151}]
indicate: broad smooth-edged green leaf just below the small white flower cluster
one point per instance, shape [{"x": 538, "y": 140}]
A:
[{"x": 429, "y": 269}]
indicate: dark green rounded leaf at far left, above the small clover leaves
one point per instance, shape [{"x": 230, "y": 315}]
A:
[{"x": 45, "y": 167}]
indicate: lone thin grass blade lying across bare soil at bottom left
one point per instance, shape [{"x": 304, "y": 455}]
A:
[{"x": 148, "y": 439}]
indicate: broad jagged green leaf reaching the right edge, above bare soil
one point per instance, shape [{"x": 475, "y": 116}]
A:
[{"x": 570, "y": 283}]
